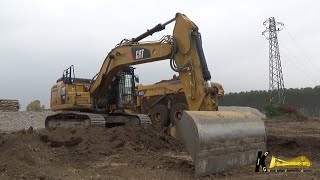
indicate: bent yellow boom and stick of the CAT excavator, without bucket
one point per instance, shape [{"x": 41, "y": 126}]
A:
[{"x": 184, "y": 49}]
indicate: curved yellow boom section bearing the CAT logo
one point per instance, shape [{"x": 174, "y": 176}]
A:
[{"x": 125, "y": 55}]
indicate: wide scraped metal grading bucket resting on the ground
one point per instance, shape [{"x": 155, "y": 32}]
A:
[{"x": 218, "y": 141}]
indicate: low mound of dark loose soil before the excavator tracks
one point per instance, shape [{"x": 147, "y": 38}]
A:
[{"x": 124, "y": 138}]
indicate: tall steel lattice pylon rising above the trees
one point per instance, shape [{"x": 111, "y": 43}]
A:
[{"x": 276, "y": 84}]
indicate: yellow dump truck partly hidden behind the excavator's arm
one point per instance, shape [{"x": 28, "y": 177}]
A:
[{"x": 166, "y": 94}]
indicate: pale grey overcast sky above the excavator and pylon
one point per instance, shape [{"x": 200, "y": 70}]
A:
[{"x": 40, "y": 38}]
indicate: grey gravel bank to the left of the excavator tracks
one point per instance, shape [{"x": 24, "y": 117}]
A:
[{"x": 12, "y": 121}]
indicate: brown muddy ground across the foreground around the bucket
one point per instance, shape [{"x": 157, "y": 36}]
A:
[{"x": 139, "y": 153}]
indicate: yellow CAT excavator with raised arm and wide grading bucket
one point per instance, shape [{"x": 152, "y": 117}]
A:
[{"x": 216, "y": 141}]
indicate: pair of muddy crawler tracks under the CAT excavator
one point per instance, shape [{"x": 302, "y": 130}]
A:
[{"x": 81, "y": 119}]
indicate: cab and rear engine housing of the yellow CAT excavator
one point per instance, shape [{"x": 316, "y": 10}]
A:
[{"x": 73, "y": 92}]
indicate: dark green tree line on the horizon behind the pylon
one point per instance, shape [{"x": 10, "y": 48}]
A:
[{"x": 306, "y": 100}]
